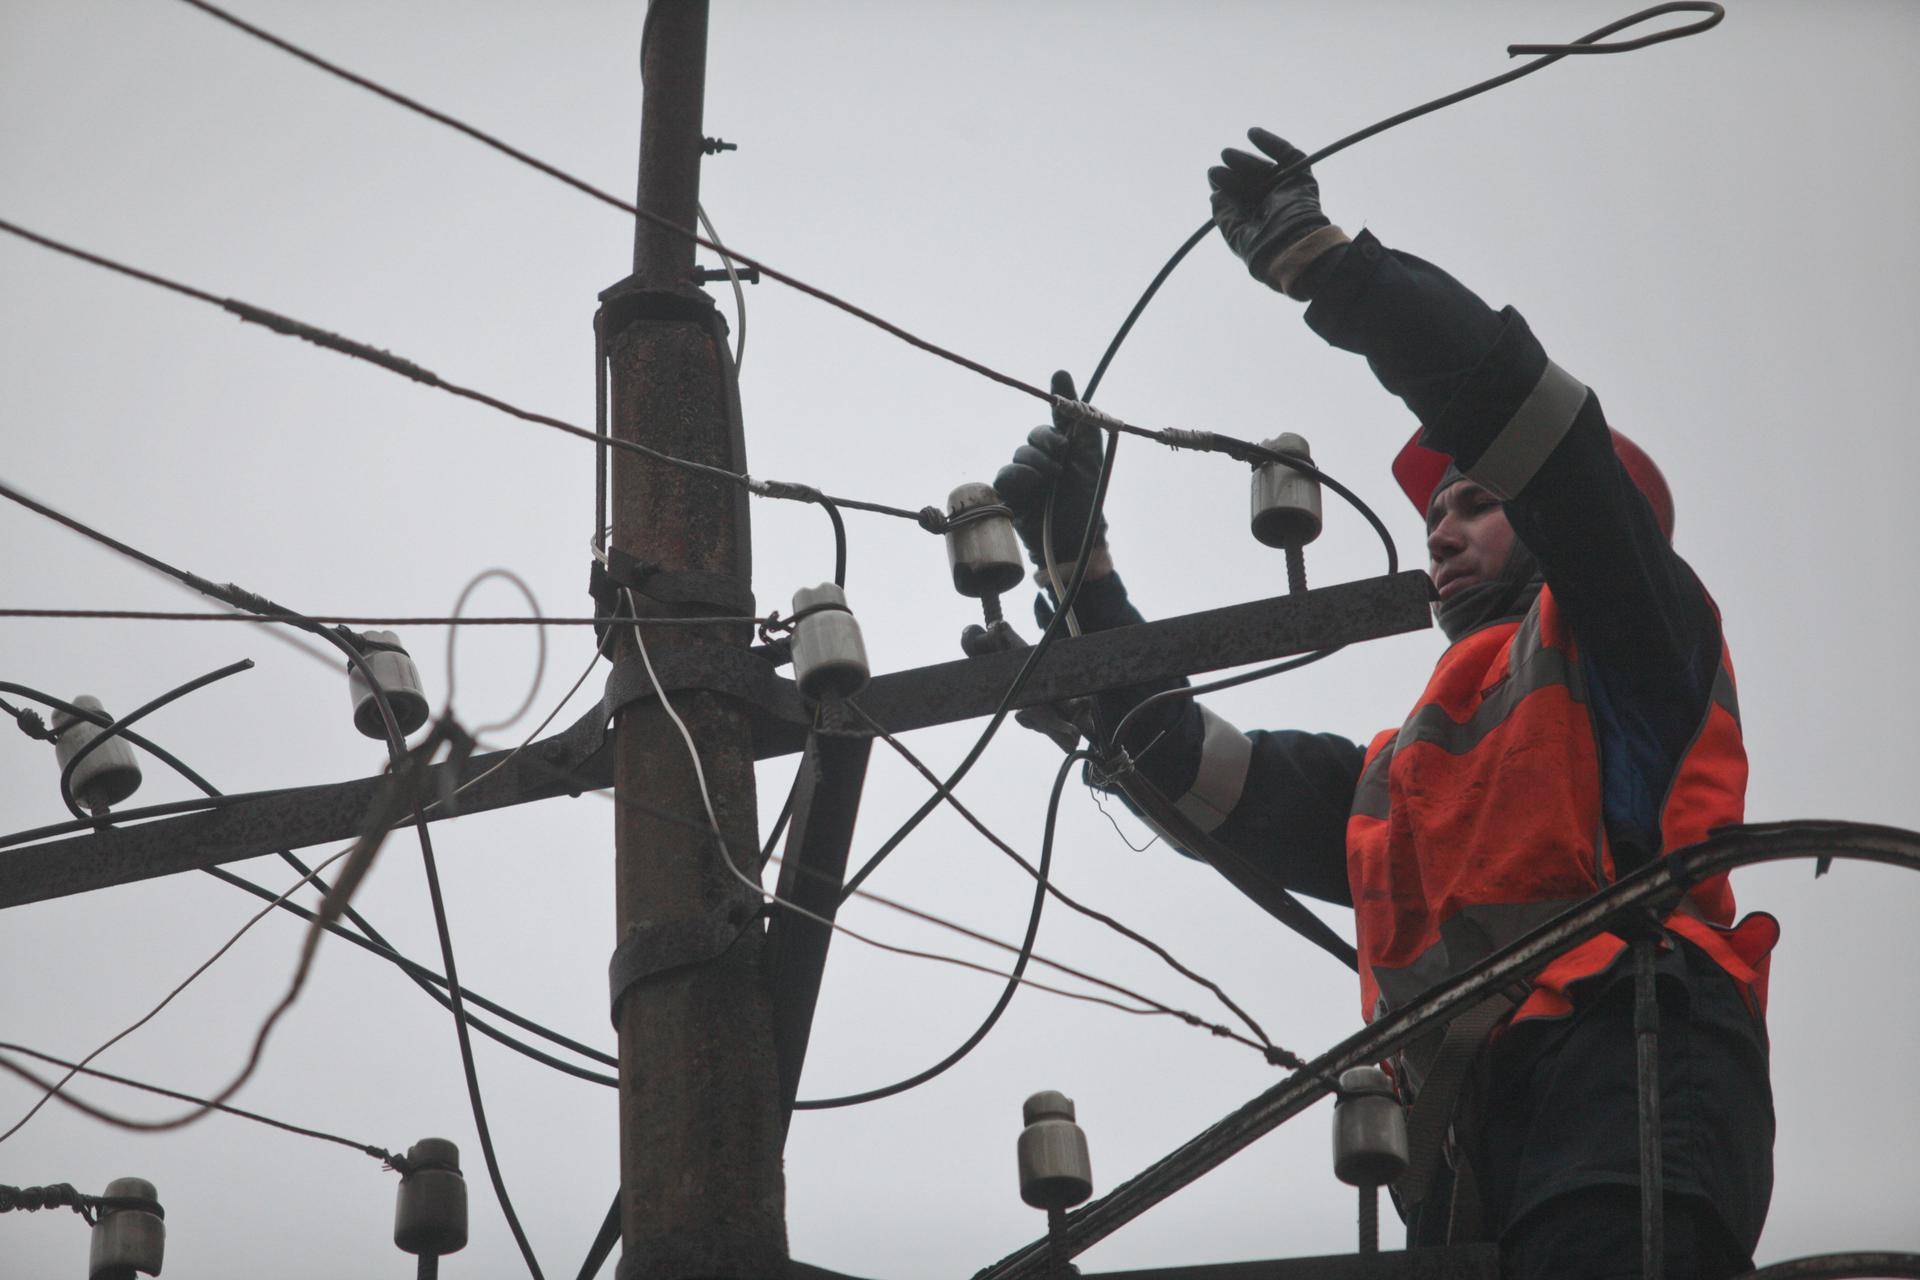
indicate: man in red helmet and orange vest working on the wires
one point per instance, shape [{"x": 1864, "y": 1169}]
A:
[{"x": 1581, "y": 723}]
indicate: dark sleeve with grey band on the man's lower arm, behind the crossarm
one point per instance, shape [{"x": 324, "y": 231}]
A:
[{"x": 1278, "y": 797}]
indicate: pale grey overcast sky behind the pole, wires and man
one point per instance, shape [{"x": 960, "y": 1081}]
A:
[{"x": 1716, "y": 235}]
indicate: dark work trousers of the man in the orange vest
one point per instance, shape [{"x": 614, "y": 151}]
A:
[{"x": 1558, "y": 1158}]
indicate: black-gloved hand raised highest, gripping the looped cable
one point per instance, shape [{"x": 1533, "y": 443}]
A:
[{"x": 1278, "y": 231}]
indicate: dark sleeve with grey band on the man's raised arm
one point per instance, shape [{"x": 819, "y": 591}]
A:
[{"x": 1489, "y": 396}]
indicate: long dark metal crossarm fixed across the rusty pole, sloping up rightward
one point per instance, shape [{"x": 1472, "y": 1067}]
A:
[{"x": 575, "y": 761}]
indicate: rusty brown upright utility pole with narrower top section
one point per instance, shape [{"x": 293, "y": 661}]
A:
[{"x": 702, "y": 1185}]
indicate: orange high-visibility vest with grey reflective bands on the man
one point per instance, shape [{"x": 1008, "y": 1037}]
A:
[{"x": 1481, "y": 818}]
